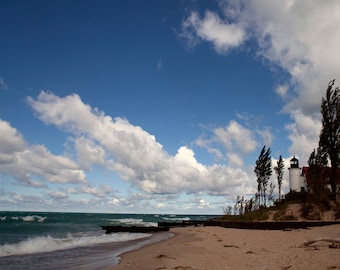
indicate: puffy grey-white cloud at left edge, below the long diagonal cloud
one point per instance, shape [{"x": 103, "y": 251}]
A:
[{"x": 31, "y": 163}]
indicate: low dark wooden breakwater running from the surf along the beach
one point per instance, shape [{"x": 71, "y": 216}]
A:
[{"x": 255, "y": 225}]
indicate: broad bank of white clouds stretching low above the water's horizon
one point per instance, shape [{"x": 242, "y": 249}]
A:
[{"x": 98, "y": 141}]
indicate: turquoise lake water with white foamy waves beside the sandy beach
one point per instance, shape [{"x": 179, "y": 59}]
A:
[{"x": 44, "y": 240}]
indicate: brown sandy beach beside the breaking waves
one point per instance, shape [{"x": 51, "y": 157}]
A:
[{"x": 223, "y": 248}]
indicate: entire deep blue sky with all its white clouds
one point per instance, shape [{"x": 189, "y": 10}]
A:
[{"x": 157, "y": 106}]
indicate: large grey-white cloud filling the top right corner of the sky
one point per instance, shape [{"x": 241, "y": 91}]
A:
[{"x": 302, "y": 37}]
